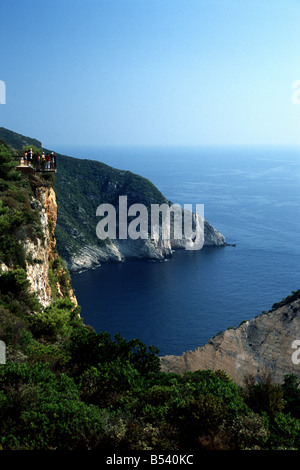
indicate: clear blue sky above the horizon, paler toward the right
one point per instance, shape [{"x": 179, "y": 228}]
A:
[{"x": 158, "y": 72}]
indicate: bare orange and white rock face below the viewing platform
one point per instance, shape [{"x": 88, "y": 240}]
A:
[{"x": 38, "y": 247}]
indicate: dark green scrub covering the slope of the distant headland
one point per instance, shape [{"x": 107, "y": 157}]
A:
[{"x": 78, "y": 200}]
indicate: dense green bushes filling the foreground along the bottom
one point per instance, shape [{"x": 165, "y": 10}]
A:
[{"x": 74, "y": 389}]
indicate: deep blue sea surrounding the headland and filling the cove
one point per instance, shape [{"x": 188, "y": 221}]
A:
[{"x": 251, "y": 195}]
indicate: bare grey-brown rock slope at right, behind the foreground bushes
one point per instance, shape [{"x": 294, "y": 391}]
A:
[{"x": 264, "y": 345}]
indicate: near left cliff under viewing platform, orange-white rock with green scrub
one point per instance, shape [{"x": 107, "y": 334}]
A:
[{"x": 28, "y": 255}]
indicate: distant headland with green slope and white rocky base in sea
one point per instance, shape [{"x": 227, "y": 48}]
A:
[{"x": 81, "y": 185}]
